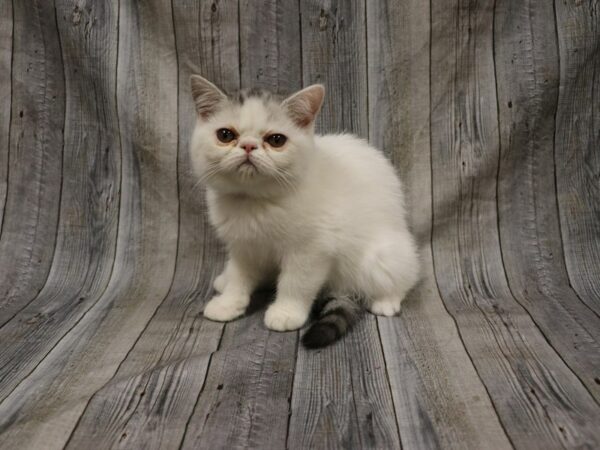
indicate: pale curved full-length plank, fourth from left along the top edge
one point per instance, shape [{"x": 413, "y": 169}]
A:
[{"x": 44, "y": 408}]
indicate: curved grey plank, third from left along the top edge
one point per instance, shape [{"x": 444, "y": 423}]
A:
[{"x": 85, "y": 246}]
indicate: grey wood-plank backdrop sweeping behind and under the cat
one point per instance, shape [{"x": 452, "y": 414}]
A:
[{"x": 490, "y": 111}]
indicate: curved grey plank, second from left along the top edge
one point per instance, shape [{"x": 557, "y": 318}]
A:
[{"x": 37, "y": 118}]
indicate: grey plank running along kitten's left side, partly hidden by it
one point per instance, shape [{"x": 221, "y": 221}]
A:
[{"x": 150, "y": 398}]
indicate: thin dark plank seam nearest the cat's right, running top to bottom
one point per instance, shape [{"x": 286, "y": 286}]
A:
[{"x": 434, "y": 272}]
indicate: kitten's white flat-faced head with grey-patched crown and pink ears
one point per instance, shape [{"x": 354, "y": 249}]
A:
[{"x": 253, "y": 143}]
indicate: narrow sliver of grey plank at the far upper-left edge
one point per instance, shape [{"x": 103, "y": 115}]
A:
[{"x": 6, "y": 51}]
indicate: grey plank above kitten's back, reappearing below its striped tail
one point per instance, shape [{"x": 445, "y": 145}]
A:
[{"x": 341, "y": 394}]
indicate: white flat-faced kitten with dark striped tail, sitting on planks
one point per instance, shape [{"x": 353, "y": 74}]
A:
[{"x": 311, "y": 213}]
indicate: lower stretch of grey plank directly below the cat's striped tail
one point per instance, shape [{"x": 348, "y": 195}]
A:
[{"x": 341, "y": 395}]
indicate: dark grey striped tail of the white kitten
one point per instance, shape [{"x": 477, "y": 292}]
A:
[{"x": 334, "y": 318}]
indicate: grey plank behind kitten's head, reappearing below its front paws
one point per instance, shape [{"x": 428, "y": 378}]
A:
[{"x": 245, "y": 400}]
